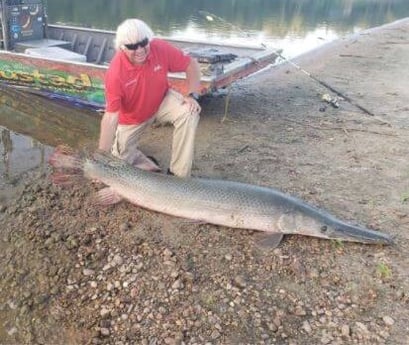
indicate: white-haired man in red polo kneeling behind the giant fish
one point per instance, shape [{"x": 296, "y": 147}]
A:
[{"x": 137, "y": 93}]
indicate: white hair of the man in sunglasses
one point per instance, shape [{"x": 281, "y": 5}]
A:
[{"x": 132, "y": 31}]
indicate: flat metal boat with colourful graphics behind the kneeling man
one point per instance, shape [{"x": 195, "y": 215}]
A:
[{"x": 68, "y": 63}]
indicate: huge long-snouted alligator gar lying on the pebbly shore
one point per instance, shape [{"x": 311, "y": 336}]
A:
[{"x": 220, "y": 202}]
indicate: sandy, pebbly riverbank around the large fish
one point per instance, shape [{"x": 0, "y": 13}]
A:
[{"x": 72, "y": 273}]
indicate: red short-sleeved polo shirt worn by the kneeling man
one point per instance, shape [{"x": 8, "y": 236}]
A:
[{"x": 137, "y": 91}]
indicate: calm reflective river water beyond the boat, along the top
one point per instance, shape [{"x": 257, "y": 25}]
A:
[{"x": 293, "y": 25}]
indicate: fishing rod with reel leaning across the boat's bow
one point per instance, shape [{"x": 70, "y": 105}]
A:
[{"x": 210, "y": 17}]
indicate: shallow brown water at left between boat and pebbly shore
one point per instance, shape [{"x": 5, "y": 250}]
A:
[{"x": 30, "y": 127}]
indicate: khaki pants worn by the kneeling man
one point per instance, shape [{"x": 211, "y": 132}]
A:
[{"x": 172, "y": 110}]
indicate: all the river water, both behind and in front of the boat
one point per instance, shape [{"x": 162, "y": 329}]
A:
[{"x": 30, "y": 127}]
